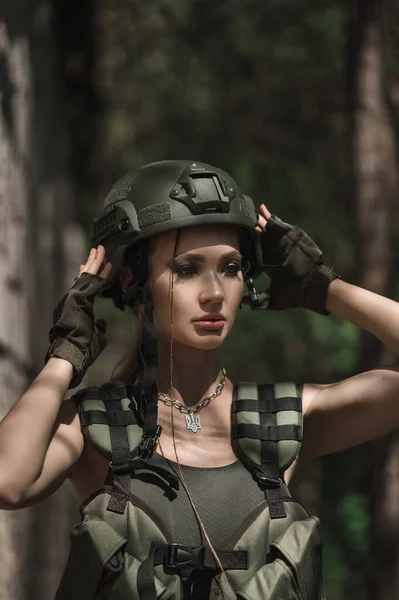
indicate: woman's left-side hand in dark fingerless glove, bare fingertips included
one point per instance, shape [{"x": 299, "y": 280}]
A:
[{"x": 75, "y": 336}]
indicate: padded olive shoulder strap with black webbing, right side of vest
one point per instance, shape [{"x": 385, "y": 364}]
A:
[{"x": 257, "y": 430}]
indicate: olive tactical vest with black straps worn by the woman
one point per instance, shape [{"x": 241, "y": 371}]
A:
[{"x": 120, "y": 552}]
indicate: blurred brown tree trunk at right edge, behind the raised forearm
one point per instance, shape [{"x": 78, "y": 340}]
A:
[{"x": 375, "y": 191}]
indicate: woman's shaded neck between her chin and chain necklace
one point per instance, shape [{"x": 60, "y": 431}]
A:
[{"x": 194, "y": 373}]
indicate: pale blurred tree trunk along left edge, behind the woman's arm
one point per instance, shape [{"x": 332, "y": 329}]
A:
[{"x": 39, "y": 252}]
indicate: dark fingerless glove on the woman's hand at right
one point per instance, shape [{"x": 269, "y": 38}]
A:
[{"x": 295, "y": 266}]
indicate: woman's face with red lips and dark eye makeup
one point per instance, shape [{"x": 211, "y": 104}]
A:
[{"x": 207, "y": 282}]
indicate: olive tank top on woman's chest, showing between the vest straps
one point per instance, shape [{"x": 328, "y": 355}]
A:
[{"x": 227, "y": 500}]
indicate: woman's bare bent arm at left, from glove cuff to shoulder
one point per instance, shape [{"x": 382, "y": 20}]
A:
[{"x": 40, "y": 438}]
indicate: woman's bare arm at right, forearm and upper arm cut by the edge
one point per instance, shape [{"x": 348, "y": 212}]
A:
[{"x": 363, "y": 407}]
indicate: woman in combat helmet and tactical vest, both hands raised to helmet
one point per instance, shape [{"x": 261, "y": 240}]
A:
[{"x": 175, "y": 514}]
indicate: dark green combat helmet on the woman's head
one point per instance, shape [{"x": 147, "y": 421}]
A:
[{"x": 166, "y": 195}]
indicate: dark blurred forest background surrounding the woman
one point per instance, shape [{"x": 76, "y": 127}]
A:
[{"x": 299, "y": 101}]
